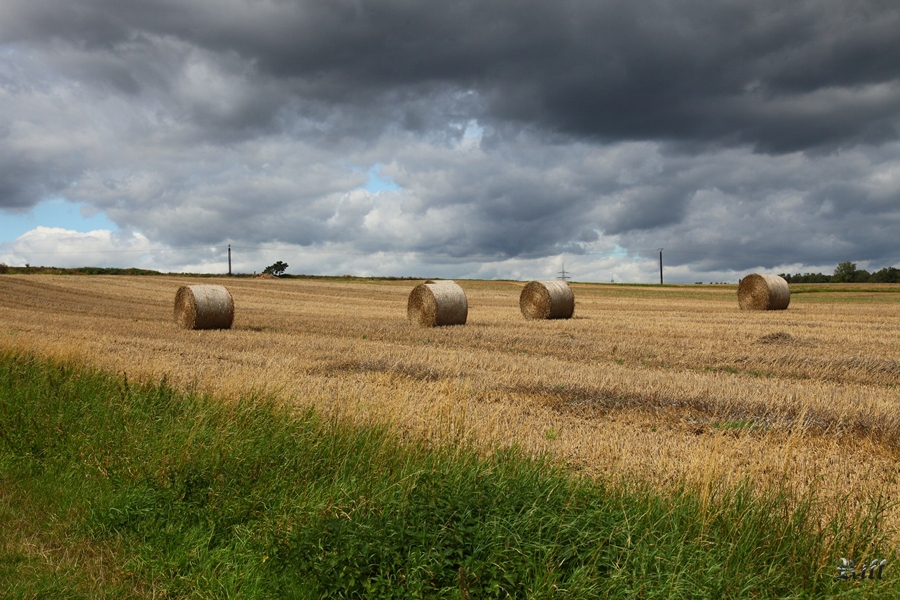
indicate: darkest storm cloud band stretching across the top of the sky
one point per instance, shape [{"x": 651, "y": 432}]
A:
[{"x": 779, "y": 76}]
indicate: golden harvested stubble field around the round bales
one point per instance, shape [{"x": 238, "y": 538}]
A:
[{"x": 645, "y": 384}]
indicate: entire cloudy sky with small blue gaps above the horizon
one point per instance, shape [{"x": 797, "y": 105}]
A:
[{"x": 492, "y": 138}]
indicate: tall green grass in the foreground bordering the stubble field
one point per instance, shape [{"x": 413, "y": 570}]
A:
[{"x": 112, "y": 490}]
